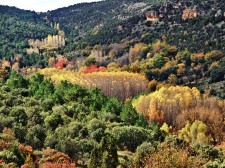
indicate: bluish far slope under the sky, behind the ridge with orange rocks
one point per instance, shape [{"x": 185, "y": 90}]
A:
[{"x": 84, "y": 19}]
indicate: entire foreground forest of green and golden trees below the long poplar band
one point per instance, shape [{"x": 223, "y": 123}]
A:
[{"x": 50, "y": 125}]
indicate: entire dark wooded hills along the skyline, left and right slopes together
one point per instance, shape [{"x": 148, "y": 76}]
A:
[{"x": 107, "y": 22}]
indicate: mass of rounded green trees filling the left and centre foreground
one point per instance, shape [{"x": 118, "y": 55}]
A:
[{"x": 70, "y": 119}]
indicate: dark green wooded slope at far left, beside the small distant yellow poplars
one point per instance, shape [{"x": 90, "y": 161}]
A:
[{"x": 16, "y": 27}]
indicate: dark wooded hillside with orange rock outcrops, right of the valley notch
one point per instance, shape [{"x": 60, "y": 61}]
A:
[{"x": 112, "y": 21}]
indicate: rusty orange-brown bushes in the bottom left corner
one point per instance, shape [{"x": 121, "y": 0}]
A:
[{"x": 46, "y": 158}]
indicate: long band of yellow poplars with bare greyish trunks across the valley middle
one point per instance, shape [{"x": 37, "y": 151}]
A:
[{"x": 120, "y": 84}]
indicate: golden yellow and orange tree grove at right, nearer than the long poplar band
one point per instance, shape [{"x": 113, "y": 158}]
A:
[{"x": 176, "y": 105}]
